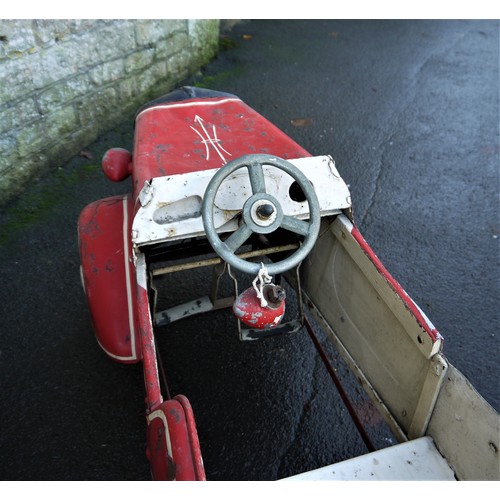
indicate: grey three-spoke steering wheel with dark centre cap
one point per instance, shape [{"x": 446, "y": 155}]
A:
[{"x": 262, "y": 214}]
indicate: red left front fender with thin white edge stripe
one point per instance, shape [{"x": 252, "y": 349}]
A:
[{"x": 109, "y": 276}]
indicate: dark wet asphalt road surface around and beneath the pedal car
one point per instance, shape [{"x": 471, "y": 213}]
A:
[{"x": 410, "y": 112}]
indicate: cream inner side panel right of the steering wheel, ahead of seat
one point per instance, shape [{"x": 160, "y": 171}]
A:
[{"x": 374, "y": 324}]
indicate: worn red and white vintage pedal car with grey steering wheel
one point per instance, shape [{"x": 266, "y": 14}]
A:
[{"x": 216, "y": 184}]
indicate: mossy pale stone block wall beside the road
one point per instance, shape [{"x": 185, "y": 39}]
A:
[{"x": 64, "y": 82}]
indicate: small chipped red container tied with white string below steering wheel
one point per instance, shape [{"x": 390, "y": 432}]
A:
[{"x": 248, "y": 307}]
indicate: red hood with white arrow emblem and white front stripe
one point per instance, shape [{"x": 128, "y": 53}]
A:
[{"x": 201, "y": 134}]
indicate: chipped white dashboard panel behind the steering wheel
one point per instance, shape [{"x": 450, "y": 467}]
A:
[{"x": 171, "y": 205}]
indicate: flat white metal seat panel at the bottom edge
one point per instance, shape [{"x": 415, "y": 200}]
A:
[{"x": 416, "y": 460}]
